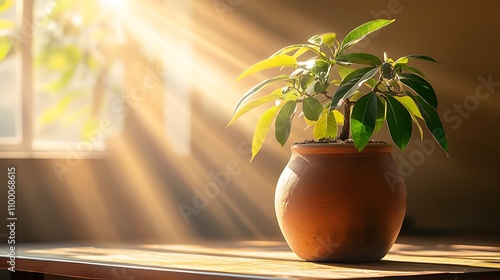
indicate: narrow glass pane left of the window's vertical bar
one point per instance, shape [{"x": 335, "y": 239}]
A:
[{"x": 10, "y": 102}]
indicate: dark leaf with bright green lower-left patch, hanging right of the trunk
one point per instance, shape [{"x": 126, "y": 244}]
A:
[{"x": 363, "y": 119}]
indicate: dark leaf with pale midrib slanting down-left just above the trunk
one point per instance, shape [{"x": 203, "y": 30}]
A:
[{"x": 350, "y": 84}]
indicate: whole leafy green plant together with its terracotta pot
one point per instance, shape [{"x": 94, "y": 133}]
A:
[{"x": 339, "y": 198}]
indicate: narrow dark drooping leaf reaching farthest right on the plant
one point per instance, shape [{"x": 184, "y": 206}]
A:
[{"x": 432, "y": 121}]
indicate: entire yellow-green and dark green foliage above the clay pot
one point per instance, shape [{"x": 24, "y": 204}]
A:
[{"x": 331, "y": 87}]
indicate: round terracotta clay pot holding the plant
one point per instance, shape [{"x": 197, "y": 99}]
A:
[{"x": 336, "y": 204}]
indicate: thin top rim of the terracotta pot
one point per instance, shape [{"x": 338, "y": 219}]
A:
[{"x": 319, "y": 148}]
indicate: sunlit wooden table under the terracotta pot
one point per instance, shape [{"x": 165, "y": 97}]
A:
[{"x": 410, "y": 258}]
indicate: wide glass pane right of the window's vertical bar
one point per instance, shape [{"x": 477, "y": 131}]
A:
[{"x": 75, "y": 79}]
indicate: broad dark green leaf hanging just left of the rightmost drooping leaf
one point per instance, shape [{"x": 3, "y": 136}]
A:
[{"x": 399, "y": 122}]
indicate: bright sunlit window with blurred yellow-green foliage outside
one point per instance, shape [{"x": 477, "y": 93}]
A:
[{"x": 54, "y": 81}]
